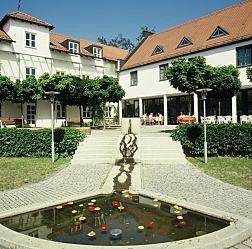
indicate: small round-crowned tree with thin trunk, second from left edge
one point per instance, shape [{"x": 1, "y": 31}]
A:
[{"x": 28, "y": 90}]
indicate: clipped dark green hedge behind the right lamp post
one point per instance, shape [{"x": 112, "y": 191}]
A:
[{"x": 223, "y": 139}]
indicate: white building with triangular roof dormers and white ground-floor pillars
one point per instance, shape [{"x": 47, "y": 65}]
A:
[{"x": 223, "y": 38}]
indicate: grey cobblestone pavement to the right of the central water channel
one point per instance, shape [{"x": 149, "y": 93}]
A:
[{"x": 185, "y": 182}]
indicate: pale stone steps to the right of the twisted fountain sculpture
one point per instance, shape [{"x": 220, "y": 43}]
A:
[{"x": 157, "y": 147}]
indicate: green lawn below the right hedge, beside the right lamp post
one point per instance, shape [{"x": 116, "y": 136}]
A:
[{"x": 237, "y": 171}]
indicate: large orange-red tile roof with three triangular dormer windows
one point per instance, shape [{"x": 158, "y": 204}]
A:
[{"x": 235, "y": 20}]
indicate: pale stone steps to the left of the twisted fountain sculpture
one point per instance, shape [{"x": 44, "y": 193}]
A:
[{"x": 100, "y": 147}]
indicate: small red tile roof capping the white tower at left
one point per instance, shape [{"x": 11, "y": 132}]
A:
[{"x": 25, "y": 17}]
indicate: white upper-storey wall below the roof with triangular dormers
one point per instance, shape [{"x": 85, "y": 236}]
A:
[{"x": 148, "y": 75}]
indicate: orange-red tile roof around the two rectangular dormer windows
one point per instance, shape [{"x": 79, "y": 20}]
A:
[{"x": 109, "y": 52}]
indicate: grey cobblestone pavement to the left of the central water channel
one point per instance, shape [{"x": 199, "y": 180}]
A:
[{"x": 72, "y": 180}]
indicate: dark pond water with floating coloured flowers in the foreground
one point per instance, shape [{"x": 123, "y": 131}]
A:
[{"x": 64, "y": 226}]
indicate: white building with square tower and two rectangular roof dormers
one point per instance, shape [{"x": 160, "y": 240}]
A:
[{"x": 28, "y": 47}]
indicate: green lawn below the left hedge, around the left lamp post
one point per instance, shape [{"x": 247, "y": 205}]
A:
[{"x": 15, "y": 172}]
